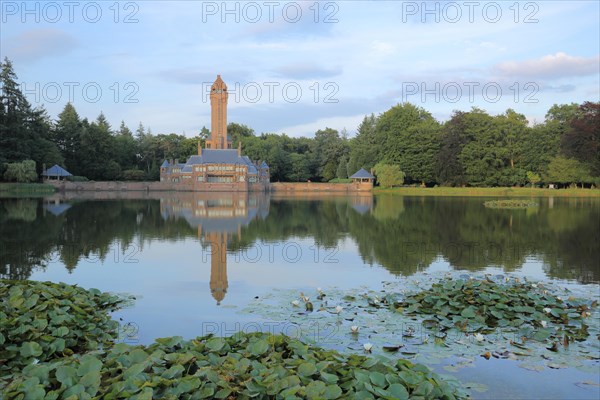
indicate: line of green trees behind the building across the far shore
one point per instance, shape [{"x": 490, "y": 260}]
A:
[{"x": 472, "y": 148}]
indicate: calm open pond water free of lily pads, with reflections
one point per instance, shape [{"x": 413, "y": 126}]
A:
[{"x": 194, "y": 260}]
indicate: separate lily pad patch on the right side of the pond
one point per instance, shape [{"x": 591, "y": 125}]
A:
[{"x": 477, "y": 305}]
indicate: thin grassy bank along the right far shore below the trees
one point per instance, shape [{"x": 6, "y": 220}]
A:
[{"x": 490, "y": 192}]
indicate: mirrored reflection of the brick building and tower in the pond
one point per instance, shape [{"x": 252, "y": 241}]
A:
[{"x": 218, "y": 217}]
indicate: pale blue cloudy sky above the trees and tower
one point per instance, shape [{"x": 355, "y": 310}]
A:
[{"x": 295, "y": 67}]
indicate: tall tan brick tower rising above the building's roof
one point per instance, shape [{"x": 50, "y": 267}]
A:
[{"x": 218, "y": 113}]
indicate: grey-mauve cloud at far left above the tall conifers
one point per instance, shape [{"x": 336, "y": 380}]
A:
[{"x": 35, "y": 44}]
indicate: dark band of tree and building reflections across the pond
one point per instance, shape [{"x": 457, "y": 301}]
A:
[{"x": 401, "y": 234}]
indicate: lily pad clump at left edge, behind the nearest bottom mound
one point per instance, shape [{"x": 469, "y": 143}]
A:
[{"x": 46, "y": 321}]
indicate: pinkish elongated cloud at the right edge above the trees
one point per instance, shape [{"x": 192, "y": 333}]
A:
[{"x": 553, "y": 66}]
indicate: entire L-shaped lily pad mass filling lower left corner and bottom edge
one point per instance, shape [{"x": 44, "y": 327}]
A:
[{"x": 58, "y": 346}]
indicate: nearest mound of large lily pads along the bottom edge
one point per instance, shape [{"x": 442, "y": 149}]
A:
[{"x": 254, "y": 365}]
